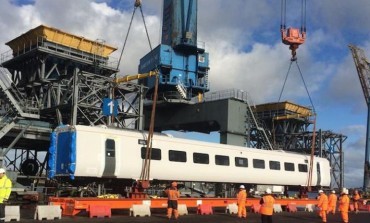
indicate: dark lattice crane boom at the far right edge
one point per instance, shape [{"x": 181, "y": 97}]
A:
[{"x": 363, "y": 71}]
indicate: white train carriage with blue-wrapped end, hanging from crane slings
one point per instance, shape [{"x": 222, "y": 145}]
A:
[{"x": 85, "y": 151}]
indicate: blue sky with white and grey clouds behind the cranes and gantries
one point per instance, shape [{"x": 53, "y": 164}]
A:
[{"x": 243, "y": 39}]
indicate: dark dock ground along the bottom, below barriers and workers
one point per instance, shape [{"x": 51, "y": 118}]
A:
[{"x": 159, "y": 216}]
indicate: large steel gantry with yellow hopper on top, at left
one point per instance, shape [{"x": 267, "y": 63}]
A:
[{"x": 51, "y": 77}]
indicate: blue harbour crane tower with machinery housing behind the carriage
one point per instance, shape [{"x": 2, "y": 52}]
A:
[{"x": 181, "y": 62}]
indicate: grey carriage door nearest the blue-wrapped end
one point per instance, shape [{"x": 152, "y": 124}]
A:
[{"x": 110, "y": 158}]
